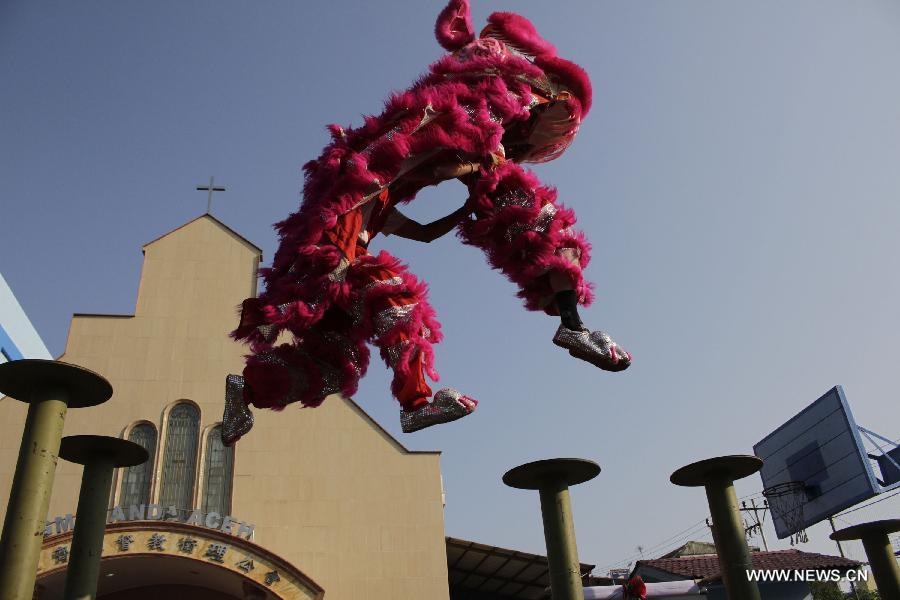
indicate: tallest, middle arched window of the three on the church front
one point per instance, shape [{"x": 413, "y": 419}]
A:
[{"x": 179, "y": 461}]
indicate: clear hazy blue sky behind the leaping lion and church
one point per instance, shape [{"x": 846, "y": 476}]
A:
[{"x": 738, "y": 176}]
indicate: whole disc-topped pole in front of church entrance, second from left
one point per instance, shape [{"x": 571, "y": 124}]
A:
[{"x": 99, "y": 455}]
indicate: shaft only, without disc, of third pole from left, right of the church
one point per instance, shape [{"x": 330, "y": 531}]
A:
[{"x": 559, "y": 533}]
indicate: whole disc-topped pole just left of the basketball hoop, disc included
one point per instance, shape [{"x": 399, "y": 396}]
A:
[{"x": 718, "y": 475}]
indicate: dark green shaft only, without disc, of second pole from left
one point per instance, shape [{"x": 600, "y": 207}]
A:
[{"x": 90, "y": 523}]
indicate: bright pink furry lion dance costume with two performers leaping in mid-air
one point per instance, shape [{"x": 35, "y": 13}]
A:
[{"x": 497, "y": 100}]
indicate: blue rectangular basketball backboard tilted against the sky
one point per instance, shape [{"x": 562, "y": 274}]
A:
[{"x": 821, "y": 448}]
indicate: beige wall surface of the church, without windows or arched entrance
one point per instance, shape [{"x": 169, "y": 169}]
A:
[{"x": 327, "y": 489}]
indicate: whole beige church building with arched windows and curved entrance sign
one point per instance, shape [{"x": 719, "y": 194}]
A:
[{"x": 327, "y": 505}]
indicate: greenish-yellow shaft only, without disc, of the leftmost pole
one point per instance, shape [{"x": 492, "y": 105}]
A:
[{"x": 23, "y": 526}]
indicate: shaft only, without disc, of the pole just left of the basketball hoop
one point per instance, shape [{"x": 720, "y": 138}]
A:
[{"x": 728, "y": 534}]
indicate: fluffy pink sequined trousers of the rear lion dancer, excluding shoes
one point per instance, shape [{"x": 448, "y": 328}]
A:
[{"x": 384, "y": 305}]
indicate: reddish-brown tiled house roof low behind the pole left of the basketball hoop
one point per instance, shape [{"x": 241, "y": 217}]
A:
[{"x": 707, "y": 566}]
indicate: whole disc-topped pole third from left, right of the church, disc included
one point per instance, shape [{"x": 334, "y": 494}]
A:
[{"x": 552, "y": 479}]
